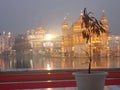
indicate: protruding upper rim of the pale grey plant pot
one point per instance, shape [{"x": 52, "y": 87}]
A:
[{"x": 90, "y": 74}]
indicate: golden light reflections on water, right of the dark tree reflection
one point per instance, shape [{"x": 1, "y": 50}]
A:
[{"x": 75, "y": 63}]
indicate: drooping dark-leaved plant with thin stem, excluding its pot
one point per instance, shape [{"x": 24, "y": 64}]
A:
[{"x": 91, "y": 26}]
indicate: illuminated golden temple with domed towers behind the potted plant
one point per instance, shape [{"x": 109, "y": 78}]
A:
[{"x": 75, "y": 45}]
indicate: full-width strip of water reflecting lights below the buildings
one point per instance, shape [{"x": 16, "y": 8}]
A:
[{"x": 49, "y": 63}]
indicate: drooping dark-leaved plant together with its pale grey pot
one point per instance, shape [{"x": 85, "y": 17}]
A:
[{"x": 90, "y": 80}]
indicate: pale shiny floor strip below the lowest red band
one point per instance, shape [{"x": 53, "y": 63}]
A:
[{"x": 74, "y": 88}]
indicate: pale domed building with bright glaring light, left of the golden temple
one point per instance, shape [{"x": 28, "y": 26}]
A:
[{"x": 44, "y": 42}]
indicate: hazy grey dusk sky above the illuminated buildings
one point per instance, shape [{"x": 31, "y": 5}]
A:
[{"x": 18, "y": 16}]
